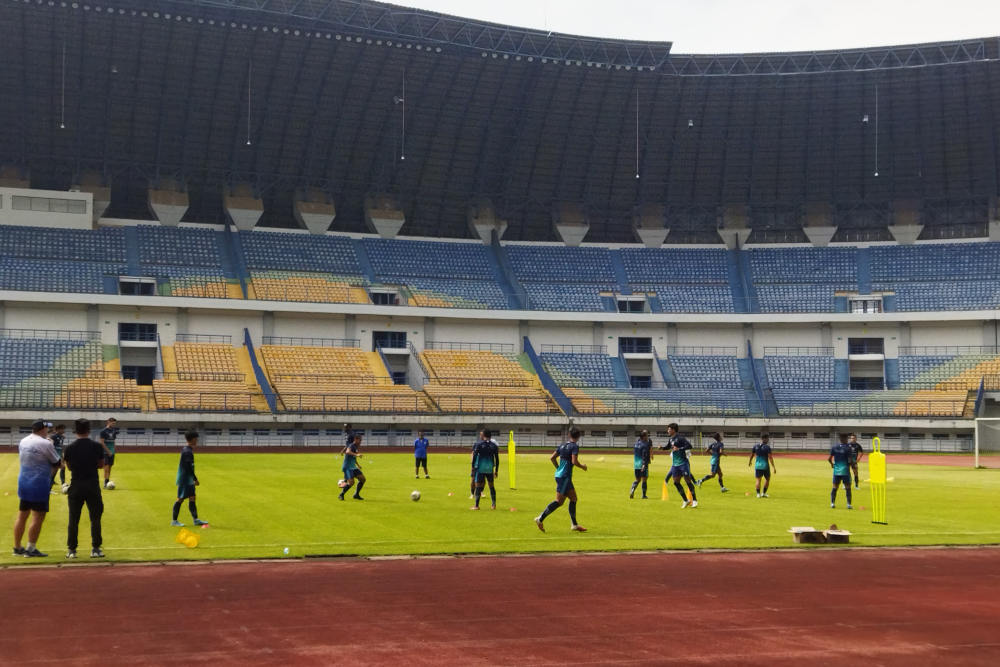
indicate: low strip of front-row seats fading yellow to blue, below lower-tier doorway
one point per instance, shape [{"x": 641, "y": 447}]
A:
[{"x": 660, "y": 402}]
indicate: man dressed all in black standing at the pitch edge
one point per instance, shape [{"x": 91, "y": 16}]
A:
[{"x": 85, "y": 457}]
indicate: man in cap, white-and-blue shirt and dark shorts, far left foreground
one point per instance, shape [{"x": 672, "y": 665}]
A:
[{"x": 38, "y": 461}]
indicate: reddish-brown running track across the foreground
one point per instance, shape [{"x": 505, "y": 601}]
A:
[{"x": 811, "y": 606}]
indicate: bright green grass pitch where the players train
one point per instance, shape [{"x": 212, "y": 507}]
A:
[{"x": 258, "y": 504}]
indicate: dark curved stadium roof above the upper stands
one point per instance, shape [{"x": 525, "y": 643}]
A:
[{"x": 355, "y": 97}]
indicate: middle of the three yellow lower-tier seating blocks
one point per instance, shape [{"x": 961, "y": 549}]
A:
[{"x": 336, "y": 379}]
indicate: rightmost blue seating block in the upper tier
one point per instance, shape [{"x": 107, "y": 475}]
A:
[{"x": 944, "y": 276}]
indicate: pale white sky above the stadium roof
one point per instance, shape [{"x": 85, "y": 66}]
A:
[{"x": 742, "y": 26}]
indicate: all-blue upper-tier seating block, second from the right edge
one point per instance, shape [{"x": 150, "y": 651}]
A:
[{"x": 801, "y": 279}]
